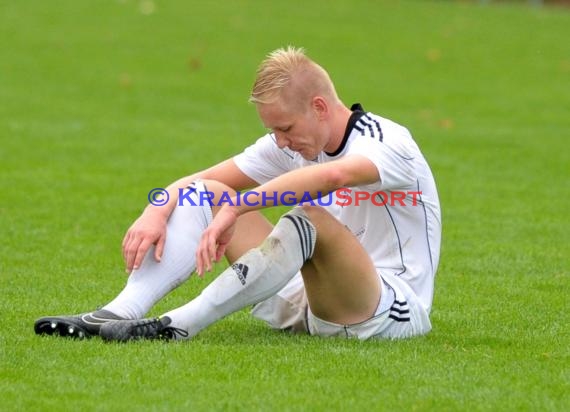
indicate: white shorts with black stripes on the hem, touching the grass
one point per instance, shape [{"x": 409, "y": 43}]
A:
[{"x": 399, "y": 313}]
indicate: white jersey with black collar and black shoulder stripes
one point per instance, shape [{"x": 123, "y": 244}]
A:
[{"x": 399, "y": 225}]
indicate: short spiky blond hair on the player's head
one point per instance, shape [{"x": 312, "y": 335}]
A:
[{"x": 287, "y": 73}]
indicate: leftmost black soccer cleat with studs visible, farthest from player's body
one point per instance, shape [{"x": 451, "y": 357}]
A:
[{"x": 80, "y": 326}]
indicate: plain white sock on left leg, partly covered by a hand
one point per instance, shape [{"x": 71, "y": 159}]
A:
[{"x": 153, "y": 280}]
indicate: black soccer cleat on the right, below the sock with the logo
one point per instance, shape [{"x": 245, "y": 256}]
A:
[{"x": 155, "y": 328}]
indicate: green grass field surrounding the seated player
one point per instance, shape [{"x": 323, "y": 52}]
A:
[{"x": 102, "y": 101}]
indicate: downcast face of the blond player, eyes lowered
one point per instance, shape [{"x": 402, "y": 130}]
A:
[{"x": 298, "y": 130}]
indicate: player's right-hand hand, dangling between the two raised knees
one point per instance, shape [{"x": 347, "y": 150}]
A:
[{"x": 215, "y": 239}]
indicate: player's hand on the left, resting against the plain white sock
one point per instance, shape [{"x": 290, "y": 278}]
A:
[{"x": 147, "y": 230}]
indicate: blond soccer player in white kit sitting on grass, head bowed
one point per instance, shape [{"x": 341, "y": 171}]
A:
[{"x": 360, "y": 264}]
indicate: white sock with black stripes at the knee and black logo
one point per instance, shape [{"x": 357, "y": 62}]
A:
[{"x": 257, "y": 275}]
